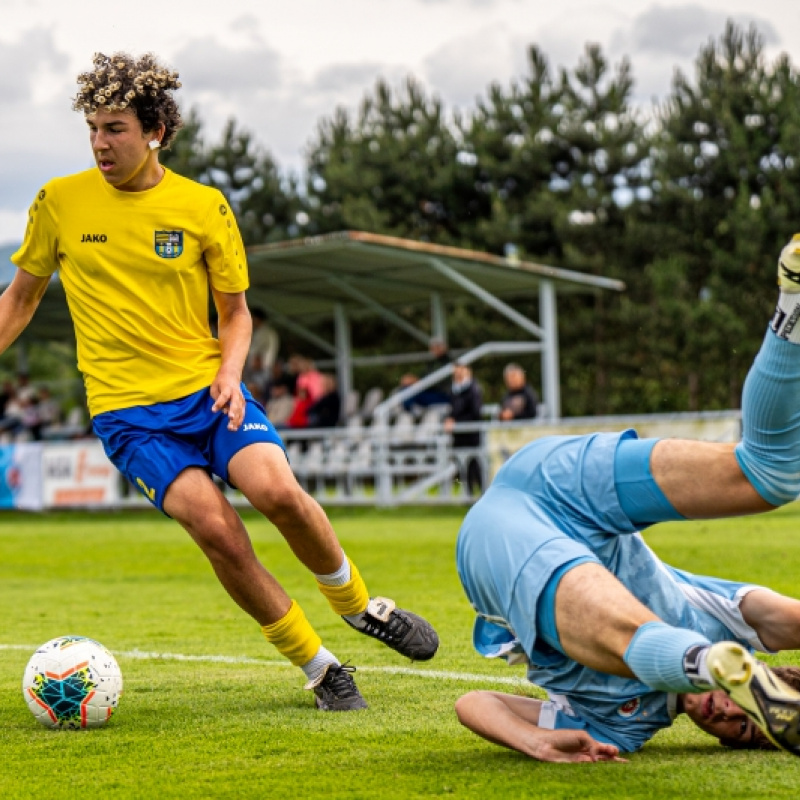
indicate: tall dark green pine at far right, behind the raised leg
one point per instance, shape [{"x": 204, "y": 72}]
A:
[{"x": 725, "y": 193}]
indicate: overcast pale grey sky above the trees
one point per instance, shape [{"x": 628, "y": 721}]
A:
[{"x": 278, "y": 67}]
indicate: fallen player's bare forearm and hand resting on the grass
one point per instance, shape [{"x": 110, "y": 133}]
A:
[{"x": 512, "y": 722}]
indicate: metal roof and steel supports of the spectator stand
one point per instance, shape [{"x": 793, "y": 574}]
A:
[{"x": 344, "y": 276}]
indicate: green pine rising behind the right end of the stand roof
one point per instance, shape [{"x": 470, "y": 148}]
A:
[{"x": 561, "y": 159}]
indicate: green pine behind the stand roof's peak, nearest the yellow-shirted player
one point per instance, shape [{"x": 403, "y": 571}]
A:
[{"x": 394, "y": 168}]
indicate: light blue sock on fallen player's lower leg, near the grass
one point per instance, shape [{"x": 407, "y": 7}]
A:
[{"x": 656, "y": 656}]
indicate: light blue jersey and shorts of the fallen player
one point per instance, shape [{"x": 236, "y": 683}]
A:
[{"x": 553, "y": 502}]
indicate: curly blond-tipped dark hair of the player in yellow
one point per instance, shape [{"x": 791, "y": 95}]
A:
[{"x": 120, "y": 81}]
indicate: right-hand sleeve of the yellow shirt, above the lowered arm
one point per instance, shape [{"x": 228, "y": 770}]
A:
[{"x": 223, "y": 250}]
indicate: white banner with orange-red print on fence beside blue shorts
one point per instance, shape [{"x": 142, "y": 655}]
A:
[{"x": 78, "y": 474}]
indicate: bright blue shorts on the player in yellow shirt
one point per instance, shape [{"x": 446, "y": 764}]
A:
[{"x": 152, "y": 445}]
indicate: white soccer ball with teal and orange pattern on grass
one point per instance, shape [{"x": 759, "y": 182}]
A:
[{"x": 71, "y": 683}]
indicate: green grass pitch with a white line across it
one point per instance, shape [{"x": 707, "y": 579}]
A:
[{"x": 240, "y": 725}]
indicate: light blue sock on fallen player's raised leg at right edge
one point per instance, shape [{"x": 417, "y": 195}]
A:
[{"x": 769, "y": 453}]
